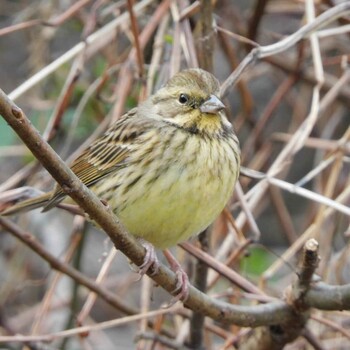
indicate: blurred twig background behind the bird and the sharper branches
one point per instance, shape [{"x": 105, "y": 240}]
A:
[{"x": 74, "y": 102}]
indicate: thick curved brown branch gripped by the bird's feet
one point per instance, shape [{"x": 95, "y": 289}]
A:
[{"x": 276, "y": 312}]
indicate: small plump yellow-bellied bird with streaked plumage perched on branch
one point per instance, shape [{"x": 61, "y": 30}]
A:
[{"x": 166, "y": 168}]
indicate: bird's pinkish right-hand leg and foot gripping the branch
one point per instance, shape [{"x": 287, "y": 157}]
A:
[{"x": 182, "y": 282}]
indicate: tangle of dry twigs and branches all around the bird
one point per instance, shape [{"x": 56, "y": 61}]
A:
[{"x": 275, "y": 266}]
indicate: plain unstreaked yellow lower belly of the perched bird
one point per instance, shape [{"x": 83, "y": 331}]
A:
[{"x": 167, "y": 218}]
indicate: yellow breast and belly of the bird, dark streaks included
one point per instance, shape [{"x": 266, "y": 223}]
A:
[{"x": 174, "y": 199}]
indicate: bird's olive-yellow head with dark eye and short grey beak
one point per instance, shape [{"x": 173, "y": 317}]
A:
[{"x": 190, "y": 101}]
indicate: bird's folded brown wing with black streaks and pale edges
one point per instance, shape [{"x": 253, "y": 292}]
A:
[{"x": 106, "y": 154}]
